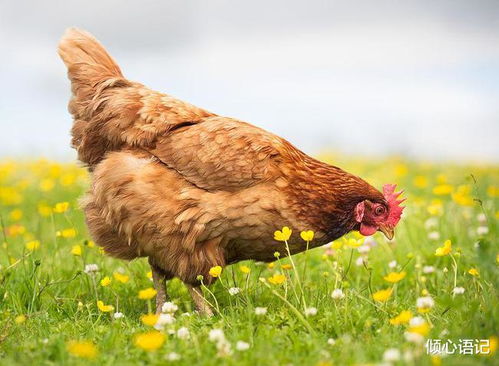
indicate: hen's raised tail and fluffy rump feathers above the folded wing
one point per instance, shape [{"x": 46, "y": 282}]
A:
[{"x": 109, "y": 111}]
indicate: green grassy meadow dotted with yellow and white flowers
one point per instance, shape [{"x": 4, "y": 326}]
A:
[{"x": 356, "y": 301}]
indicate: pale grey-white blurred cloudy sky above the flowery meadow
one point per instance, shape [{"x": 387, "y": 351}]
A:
[{"x": 413, "y": 78}]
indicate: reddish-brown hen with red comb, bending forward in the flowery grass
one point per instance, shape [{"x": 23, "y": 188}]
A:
[{"x": 192, "y": 190}]
